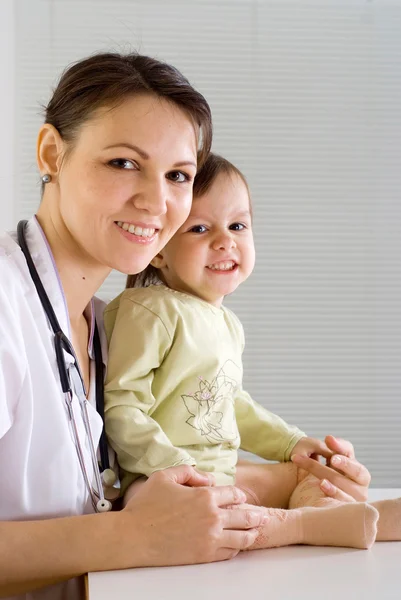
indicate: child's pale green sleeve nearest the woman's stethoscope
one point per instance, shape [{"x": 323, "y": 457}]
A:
[{"x": 138, "y": 344}]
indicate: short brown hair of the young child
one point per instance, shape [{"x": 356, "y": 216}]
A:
[{"x": 214, "y": 166}]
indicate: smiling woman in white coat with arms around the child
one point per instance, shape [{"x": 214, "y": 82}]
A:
[{"x": 122, "y": 139}]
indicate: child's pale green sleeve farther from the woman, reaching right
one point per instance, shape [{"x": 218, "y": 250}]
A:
[{"x": 263, "y": 433}]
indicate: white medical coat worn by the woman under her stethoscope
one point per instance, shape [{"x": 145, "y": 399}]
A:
[{"x": 40, "y": 476}]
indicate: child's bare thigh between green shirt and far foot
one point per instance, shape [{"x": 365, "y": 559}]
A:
[{"x": 267, "y": 484}]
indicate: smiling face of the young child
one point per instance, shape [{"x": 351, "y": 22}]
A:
[{"x": 213, "y": 252}]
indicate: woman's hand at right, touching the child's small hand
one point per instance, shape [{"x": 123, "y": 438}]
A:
[{"x": 345, "y": 479}]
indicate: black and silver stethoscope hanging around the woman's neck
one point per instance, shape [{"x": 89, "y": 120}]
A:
[{"x": 71, "y": 378}]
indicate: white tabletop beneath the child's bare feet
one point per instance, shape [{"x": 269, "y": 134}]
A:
[{"x": 291, "y": 573}]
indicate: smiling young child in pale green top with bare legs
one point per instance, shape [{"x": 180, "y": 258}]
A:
[{"x": 174, "y": 383}]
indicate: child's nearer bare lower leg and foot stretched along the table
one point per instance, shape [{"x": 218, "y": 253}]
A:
[{"x": 351, "y": 525}]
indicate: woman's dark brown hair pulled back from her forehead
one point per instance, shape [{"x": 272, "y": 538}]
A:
[{"x": 107, "y": 79}]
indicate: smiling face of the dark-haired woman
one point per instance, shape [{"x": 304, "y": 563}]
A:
[{"x": 126, "y": 186}]
